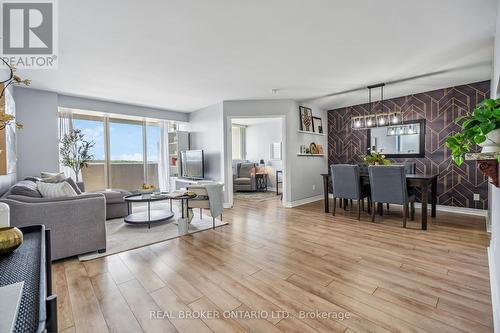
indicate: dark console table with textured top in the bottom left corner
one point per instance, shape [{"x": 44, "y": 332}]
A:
[{"x": 31, "y": 263}]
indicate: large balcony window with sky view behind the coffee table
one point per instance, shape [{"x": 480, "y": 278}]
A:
[{"x": 127, "y": 153}]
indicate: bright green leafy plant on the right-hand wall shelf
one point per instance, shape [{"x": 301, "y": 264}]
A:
[{"x": 474, "y": 128}]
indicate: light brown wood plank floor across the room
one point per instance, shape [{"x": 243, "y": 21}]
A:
[{"x": 289, "y": 266}]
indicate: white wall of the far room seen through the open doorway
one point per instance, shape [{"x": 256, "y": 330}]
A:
[{"x": 259, "y": 138}]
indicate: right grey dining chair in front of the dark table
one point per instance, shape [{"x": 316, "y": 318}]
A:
[{"x": 388, "y": 185}]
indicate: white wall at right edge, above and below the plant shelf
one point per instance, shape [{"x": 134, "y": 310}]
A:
[{"x": 494, "y": 250}]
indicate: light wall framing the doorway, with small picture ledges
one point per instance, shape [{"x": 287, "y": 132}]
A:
[{"x": 302, "y": 180}]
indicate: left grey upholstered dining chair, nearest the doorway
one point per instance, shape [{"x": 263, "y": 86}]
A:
[{"x": 346, "y": 184}]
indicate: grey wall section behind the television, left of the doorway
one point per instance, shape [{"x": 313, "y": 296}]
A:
[{"x": 207, "y": 134}]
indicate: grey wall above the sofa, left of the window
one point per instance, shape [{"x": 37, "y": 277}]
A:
[{"x": 38, "y": 140}]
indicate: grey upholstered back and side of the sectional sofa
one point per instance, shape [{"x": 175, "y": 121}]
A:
[{"x": 77, "y": 223}]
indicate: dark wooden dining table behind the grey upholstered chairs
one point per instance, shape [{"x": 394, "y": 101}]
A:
[{"x": 422, "y": 181}]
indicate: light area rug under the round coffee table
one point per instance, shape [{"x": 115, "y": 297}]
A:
[{"x": 121, "y": 236}]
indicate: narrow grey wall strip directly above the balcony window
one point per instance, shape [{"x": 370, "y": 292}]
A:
[{"x": 120, "y": 108}]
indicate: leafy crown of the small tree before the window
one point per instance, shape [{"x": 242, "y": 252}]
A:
[{"x": 75, "y": 151}]
